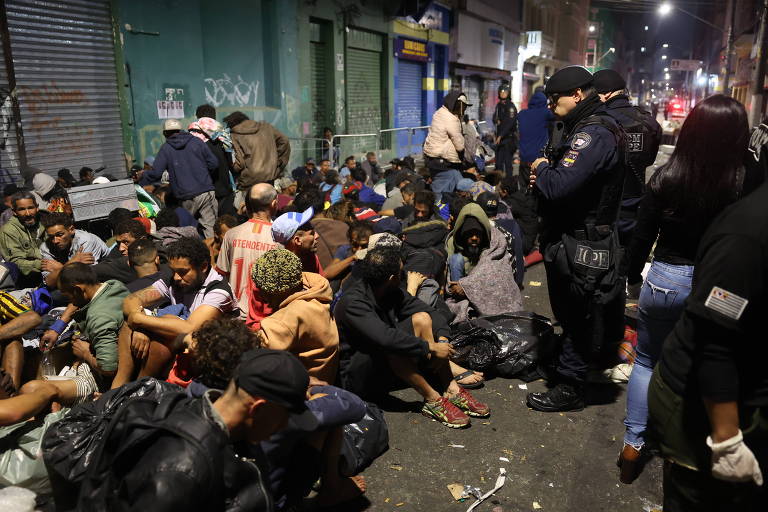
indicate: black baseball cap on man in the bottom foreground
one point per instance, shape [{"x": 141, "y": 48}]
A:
[{"x": 277, "y": 376}]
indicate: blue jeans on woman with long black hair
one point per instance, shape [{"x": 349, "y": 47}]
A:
[{"x": 662, "y": 299}]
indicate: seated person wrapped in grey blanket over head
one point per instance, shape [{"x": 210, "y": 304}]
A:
[{"x": 481, "y": 276}]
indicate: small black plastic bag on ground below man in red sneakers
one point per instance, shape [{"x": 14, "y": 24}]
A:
[{"x": 363, "y": 442}]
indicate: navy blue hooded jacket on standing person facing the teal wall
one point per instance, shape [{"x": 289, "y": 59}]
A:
[{"x": 188, "y": 161}]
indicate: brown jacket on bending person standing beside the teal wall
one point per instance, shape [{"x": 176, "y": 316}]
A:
[{"x": 261, "y": 152}]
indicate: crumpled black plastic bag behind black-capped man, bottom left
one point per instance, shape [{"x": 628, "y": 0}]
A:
[{"x": 69, "y": 445}]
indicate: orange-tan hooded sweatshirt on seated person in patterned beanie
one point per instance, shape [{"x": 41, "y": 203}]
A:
[{"x": 303, "y": 326}]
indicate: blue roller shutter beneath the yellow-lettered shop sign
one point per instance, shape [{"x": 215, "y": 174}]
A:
[{"x": 409, "y": 108}]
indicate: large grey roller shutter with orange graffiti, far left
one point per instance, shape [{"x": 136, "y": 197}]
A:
[{"x": 64, "y": 61}]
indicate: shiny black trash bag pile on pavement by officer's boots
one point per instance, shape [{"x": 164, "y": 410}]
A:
[{"x": 513, "y": 345}]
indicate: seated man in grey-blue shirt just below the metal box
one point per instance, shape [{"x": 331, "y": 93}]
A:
[{"x": 65, "y": 244}]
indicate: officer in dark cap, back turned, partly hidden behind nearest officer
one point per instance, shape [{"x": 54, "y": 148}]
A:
[{"x": 643, "y": 139}]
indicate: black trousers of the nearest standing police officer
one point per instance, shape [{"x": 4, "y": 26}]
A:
[{"x": 587, "y": 329}]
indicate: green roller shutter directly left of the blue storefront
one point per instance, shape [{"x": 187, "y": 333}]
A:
[{"x": 364, "y": 91}]
